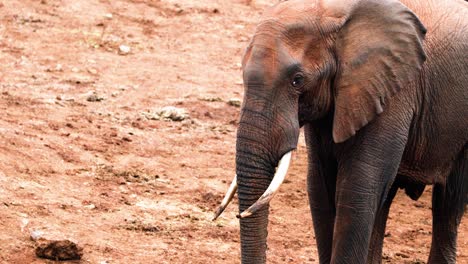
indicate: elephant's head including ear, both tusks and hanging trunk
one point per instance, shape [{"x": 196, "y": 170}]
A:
[{"x": 309, "y": 60}]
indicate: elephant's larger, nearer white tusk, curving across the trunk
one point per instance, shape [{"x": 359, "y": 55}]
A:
[{"x": 278, "y": 179}]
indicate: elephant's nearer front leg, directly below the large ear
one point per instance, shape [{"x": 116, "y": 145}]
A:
[{"x": 367, "y": 168}]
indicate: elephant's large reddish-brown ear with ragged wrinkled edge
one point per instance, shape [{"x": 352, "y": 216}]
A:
[{"x": 379, "y": 49}]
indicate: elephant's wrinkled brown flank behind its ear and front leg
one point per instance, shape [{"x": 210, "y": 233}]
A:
[{"x": 440, "y": 94}]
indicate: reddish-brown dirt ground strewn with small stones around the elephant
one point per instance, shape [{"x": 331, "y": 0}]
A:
[{"x": 127, "y": 188}]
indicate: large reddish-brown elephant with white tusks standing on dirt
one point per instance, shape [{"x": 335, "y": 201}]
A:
[{"x": 380, "y": 90}]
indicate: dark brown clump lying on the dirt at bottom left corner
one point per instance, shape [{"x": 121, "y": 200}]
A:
[{"x": 58, "y": 250}]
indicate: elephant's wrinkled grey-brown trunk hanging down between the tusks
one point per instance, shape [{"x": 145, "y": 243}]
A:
[{"x": 254, "y": 174}]
